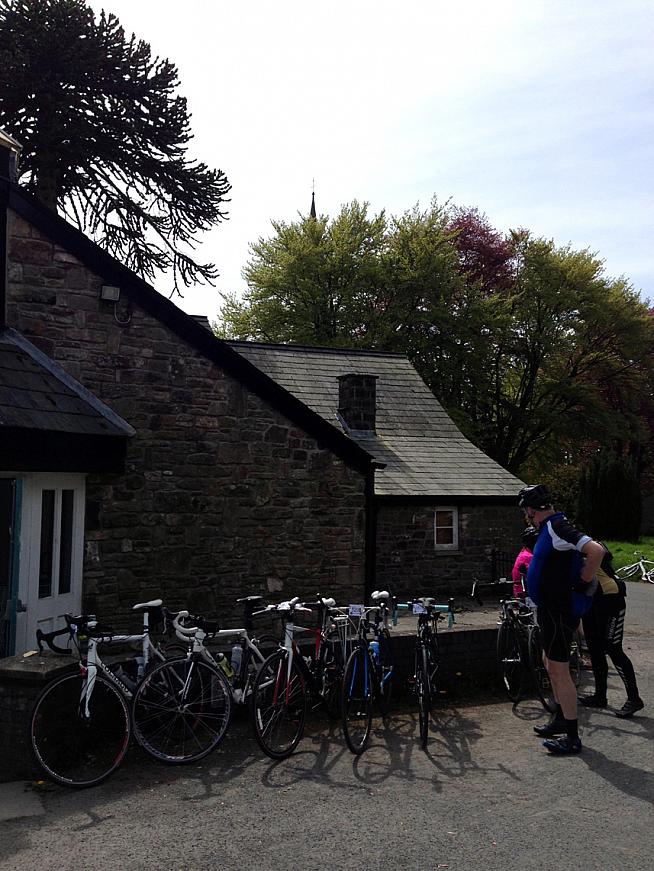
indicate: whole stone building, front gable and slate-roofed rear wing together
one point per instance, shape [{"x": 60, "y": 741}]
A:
[{"x": 140, "y": 456}]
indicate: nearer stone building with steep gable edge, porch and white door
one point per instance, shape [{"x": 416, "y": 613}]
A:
[{"x": 141, "y": 457}]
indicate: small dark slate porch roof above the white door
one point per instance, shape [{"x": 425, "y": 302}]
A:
[{"x": 35, "y": 393}]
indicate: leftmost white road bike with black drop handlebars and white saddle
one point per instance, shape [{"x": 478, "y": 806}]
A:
[{"x": 82, "y": 723}]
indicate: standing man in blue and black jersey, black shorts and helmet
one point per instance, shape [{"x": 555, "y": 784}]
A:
[{"x": 562, "y": 558}]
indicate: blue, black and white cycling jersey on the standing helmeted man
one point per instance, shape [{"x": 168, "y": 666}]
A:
[{"x": 556, "y": 563}]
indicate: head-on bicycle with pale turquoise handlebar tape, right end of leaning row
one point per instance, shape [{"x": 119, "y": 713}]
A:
[{"x": 427, "y": 656}]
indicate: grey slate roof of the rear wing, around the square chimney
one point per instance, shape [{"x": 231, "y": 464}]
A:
[{"x": 424, "y": 452}]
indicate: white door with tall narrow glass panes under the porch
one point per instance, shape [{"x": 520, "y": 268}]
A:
[{"x": 51, "y": 554}]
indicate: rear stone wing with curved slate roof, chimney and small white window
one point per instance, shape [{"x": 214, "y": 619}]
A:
[{"x": 441, "y": 508}]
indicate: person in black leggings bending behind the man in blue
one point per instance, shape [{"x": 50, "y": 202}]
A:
[{"x": 603, "y": 629}]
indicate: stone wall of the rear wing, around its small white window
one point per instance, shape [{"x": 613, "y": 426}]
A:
[{"x": 408, "y": 563}]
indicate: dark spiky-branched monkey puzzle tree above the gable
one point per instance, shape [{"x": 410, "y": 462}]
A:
[{"x": 104, "y": 135}]
